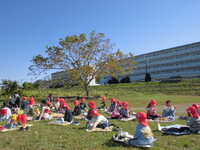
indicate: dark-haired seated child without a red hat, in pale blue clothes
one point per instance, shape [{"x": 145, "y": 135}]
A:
[{"x": 168, "y": 110}]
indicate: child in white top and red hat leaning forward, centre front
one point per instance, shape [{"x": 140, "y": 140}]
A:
[{"x": 97, "y": 121}]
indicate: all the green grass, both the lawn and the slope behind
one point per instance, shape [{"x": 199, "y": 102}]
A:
[{"x": 50, "y": 137}]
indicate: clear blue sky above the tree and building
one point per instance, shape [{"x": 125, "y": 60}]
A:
[{"x": 137, "y": 26}]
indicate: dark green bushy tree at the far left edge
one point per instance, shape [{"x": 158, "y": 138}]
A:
[{"x": 9, "y": 86}]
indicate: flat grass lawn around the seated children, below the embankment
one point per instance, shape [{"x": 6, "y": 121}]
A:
[{"x": 50, "y": 137}]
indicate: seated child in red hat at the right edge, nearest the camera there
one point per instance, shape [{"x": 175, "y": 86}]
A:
[{"x": 194, "y": 119}]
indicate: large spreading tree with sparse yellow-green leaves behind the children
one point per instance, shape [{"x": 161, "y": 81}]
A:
[{"x": 85, "y": 57}]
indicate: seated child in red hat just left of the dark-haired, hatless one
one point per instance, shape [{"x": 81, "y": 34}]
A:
[{"x": 151, "y": 110}]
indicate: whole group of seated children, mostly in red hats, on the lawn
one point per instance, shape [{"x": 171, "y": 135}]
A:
[{"x": 94, "y": 119}]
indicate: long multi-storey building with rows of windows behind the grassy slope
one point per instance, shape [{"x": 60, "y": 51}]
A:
[{"x": 172, "y": 63}]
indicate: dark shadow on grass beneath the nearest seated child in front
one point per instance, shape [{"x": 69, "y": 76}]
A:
[{"x": 111, "y": 143}]
